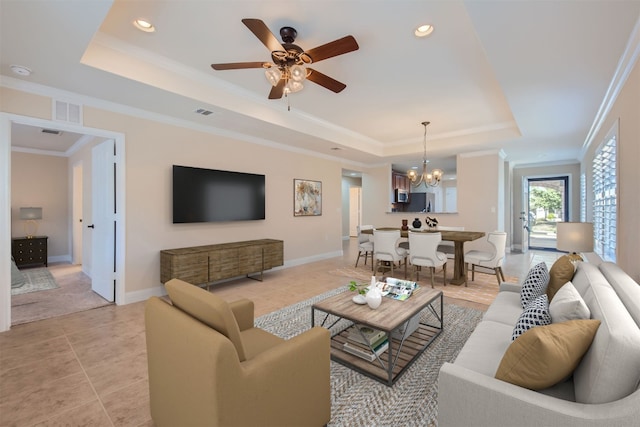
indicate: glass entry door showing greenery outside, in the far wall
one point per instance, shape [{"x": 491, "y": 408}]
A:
[{"x": 548, "y": 205}]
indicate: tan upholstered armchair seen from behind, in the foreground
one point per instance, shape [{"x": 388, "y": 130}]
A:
[{"x": 209, "y": 365}]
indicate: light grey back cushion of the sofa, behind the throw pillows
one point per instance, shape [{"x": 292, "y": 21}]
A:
[{"x": 610, "y": 370}]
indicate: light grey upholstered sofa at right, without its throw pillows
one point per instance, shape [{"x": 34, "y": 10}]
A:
[{"x": 603, "y": 390}]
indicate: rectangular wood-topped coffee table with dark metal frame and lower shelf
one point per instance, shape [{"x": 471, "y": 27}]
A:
[{"x": 393, "y": 317}]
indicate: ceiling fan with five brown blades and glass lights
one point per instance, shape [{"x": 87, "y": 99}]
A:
[{"x": 290, "y": 63}]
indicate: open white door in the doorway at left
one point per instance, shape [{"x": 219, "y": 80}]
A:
[{"x": 103, "y": 223}]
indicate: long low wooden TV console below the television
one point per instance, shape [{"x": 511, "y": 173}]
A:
[{"x": 207, "y": 264}]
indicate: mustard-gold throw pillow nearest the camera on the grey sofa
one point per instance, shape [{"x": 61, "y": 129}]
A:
[{"x": 547, "y": 355}]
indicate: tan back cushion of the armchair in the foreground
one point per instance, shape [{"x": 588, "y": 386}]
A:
[{"x": 208, "y": 308}]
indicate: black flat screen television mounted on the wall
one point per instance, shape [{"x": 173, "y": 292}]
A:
[{"x": 209, "y": 195}]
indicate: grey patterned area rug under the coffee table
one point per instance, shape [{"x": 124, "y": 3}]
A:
[{"x": 357, "y": 400}]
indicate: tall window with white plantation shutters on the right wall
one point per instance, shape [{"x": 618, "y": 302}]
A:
[{"x": 604, "y": 200}]
